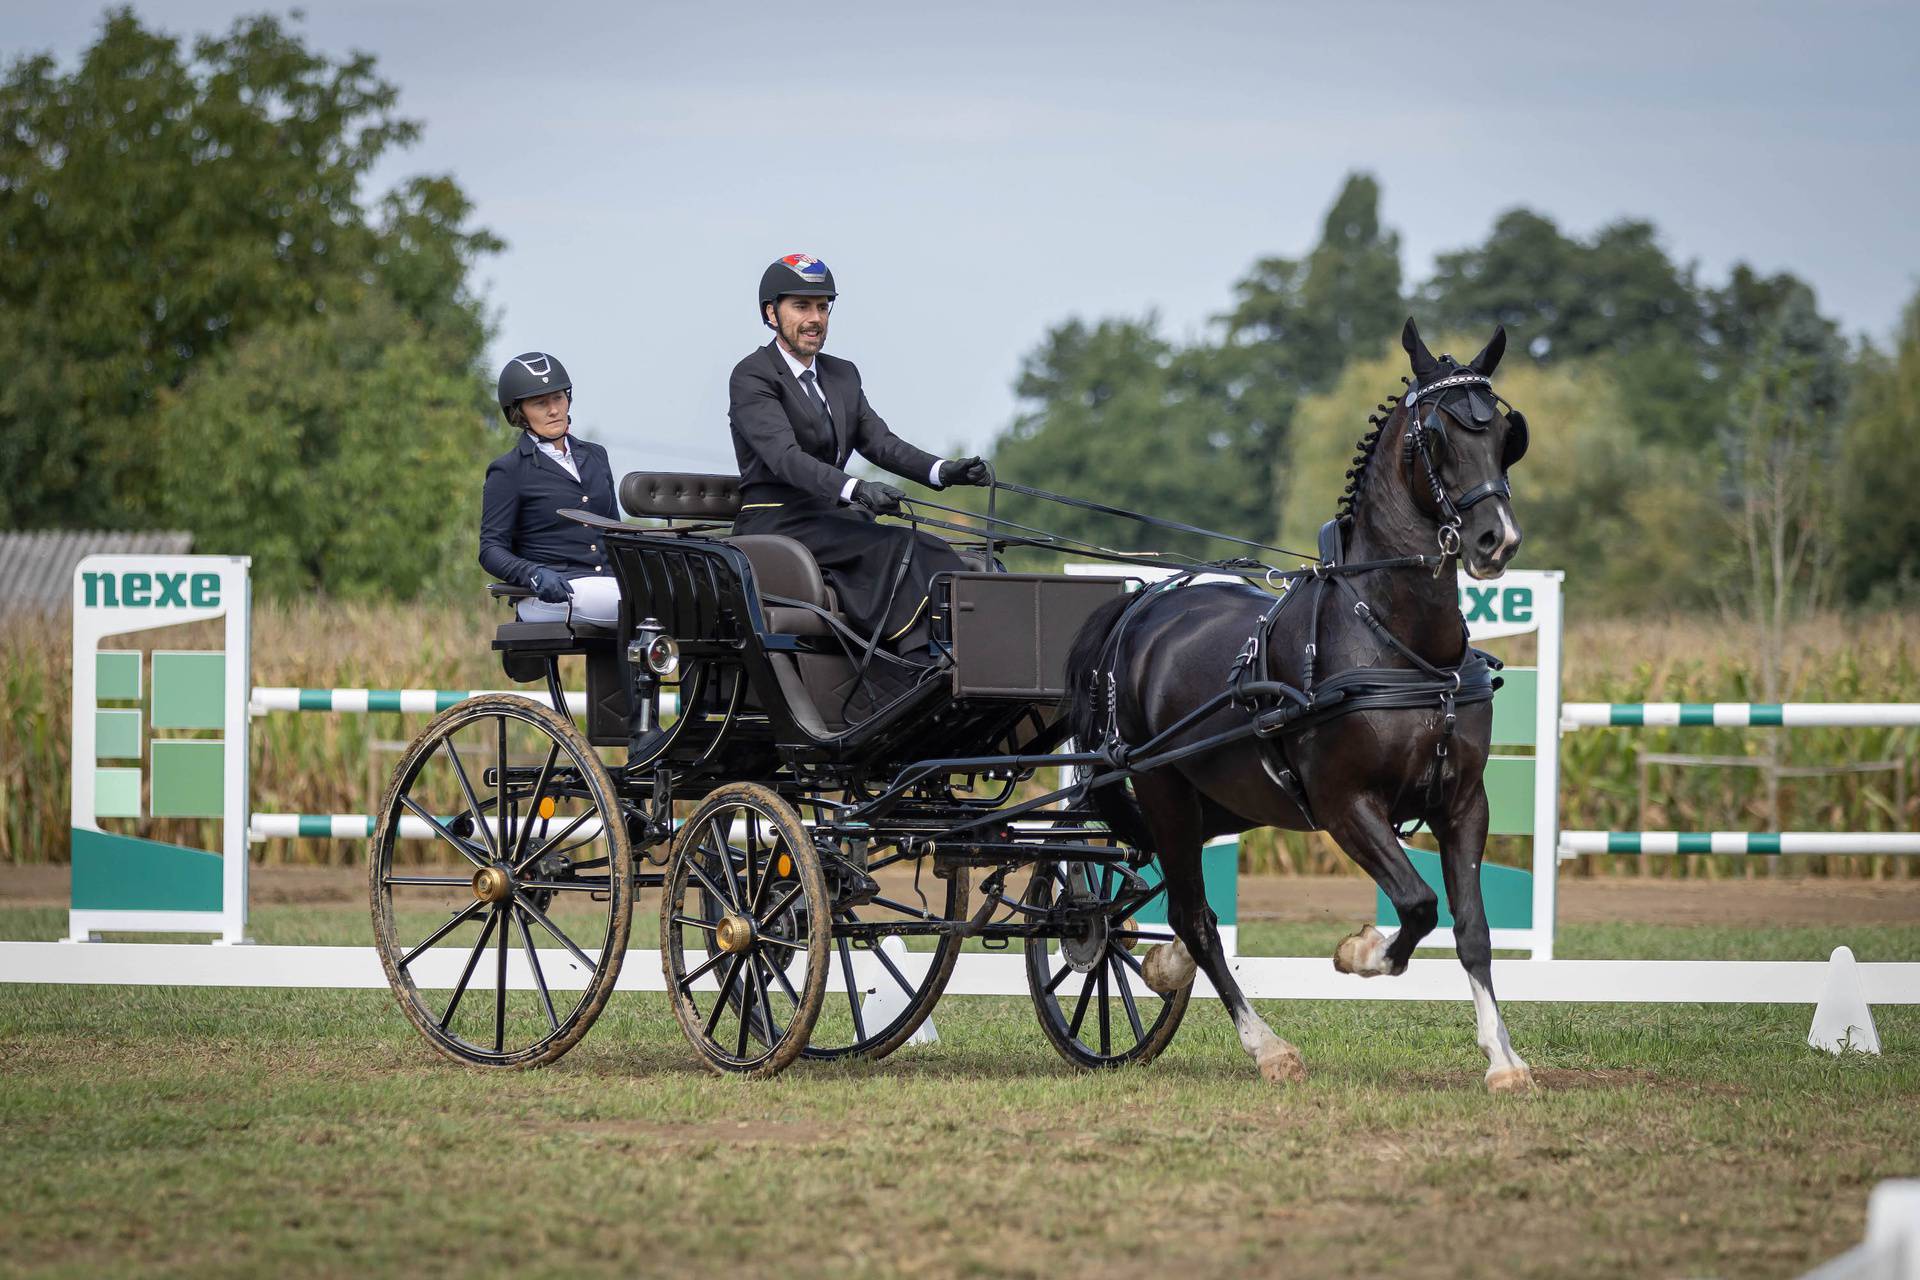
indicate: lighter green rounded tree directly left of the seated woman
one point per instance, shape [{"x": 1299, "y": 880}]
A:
[{"x": 360, "y": 433}]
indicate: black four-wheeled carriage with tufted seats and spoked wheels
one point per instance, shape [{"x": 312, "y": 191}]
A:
[{"x": 823, "y": 857}]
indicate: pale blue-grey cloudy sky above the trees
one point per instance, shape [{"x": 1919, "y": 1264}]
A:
[{"x": 980, "y": 174}]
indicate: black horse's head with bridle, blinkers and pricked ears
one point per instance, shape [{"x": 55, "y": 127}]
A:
[{"x": 1462, "y": 439}]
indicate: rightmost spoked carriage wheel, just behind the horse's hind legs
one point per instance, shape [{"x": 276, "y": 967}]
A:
[{"x": 1086, "y": 984}]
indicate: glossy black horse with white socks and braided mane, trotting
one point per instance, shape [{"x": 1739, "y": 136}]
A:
[{"x": 1429, "y": 477}]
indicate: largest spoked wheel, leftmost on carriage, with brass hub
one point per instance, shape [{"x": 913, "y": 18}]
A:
[{"x": 502, "y": 884}]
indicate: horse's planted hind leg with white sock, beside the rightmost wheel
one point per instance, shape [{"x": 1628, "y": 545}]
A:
[{"x": 1172, "y": 811}]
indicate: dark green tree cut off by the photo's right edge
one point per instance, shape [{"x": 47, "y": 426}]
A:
[{"x": 1881, "y": 471}]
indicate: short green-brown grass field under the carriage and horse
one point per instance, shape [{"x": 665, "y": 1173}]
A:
[{"x": 312, "y": 1133}]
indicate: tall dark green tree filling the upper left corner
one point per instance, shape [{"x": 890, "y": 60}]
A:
[{"x": 156, "y": 208}]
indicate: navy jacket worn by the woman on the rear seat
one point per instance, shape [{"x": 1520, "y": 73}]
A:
[{"x": 521, "y": 527}]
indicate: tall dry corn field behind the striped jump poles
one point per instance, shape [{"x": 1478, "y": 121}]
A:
[{"x": 337, "y": 765}]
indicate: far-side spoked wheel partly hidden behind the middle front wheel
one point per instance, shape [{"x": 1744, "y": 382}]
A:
[{"x": 880, "y": 989}]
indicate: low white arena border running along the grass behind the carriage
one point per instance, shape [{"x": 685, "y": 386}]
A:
[{"x": 1262, "y": 978}]
